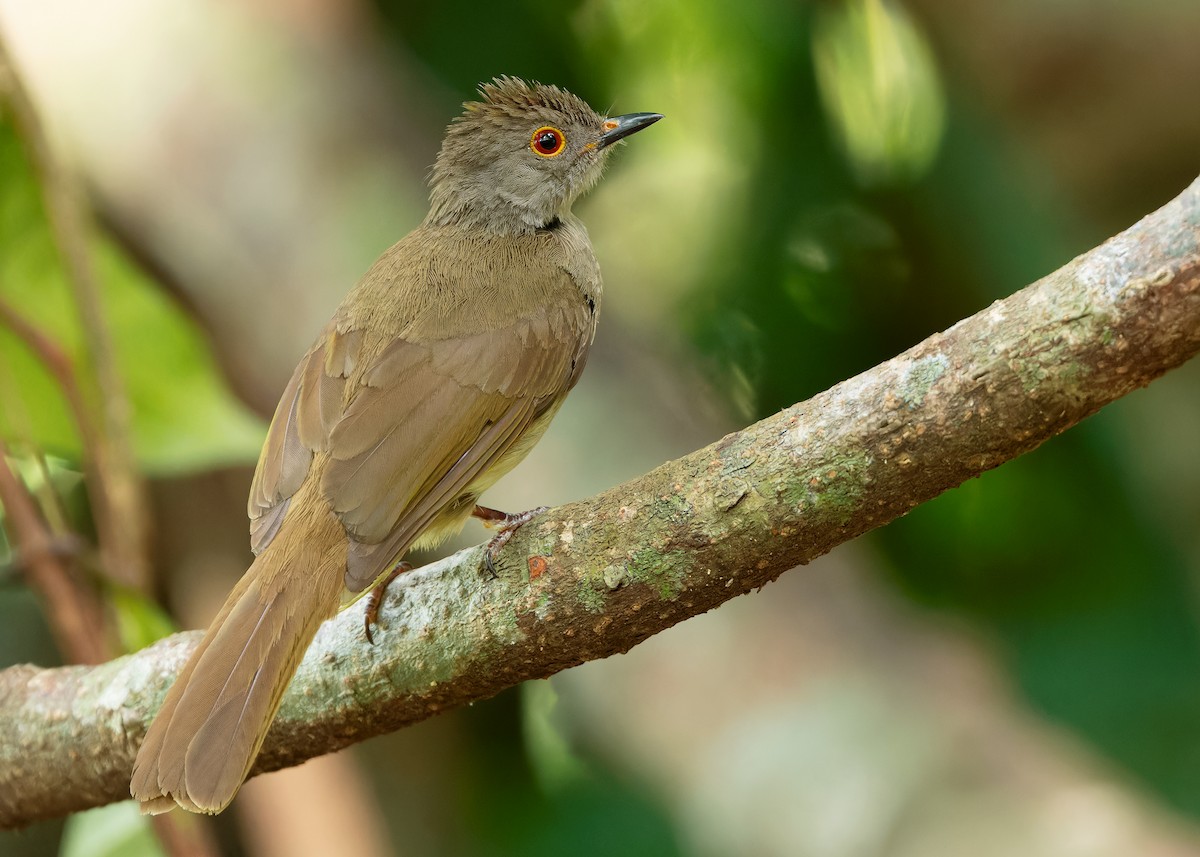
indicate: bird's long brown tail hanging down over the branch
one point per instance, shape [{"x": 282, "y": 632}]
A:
[{"x": 207, "y": 735}]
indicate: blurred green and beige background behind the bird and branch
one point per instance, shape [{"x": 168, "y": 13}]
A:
[{"x": 1012, "y": 669}]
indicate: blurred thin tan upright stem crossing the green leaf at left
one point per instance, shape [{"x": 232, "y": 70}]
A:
[{"x": 122, "y": 523}]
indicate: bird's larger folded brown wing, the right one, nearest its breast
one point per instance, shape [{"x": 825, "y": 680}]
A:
[{"x": 433, "y": 417}]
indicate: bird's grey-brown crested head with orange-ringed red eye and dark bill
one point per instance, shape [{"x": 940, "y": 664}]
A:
[{"x": 517, "y": 160}]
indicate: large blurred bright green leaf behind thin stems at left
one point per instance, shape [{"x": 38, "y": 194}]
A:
[{"x": 184, "y": 416}]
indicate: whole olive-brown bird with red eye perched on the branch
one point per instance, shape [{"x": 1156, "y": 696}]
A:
[{"x": 436, "y": 376}]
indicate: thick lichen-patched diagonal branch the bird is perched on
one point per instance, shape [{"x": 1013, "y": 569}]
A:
[{"x": 596, "y": 578}]
